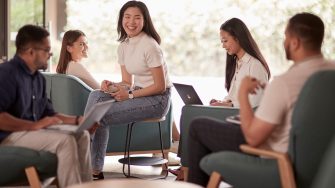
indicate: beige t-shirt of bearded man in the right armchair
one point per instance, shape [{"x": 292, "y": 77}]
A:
[{"x": 279, "y": 98}]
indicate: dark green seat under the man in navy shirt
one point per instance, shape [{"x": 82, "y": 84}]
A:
[{"x": 14, "y": 160}]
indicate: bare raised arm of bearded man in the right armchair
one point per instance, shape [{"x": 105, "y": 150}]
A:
[{"x": 255, "y": 130}]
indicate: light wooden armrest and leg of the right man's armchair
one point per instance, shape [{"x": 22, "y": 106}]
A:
[{"x": 283, "y": 160}]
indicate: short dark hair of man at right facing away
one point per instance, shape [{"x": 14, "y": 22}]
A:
[{"x": 309, "y": 28}]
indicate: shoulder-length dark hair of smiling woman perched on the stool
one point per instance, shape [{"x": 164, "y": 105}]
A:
[{"x": 148, "y": 27}]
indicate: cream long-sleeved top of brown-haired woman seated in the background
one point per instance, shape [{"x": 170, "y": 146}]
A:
[{"x": 78, "y": 70}]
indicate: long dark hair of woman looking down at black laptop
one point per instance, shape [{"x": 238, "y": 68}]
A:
[{"x": 237, "y": 29}]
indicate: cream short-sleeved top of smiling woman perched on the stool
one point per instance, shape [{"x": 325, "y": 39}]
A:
[{"x": 140, "y": 53}]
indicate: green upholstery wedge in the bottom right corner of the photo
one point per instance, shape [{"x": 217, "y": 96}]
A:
[{"x": 325, "y": 176}]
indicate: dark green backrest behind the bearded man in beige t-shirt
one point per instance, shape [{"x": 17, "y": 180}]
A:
[{"x": 313, "y": 126}]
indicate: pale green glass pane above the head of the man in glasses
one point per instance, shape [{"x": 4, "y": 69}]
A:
[{"x": 23, "y": 12}]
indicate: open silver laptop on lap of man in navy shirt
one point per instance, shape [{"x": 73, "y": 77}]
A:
[{"x": 94, "y": 115}]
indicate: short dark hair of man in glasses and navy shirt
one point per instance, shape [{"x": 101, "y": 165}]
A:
[{"x": 29, "y": 34}]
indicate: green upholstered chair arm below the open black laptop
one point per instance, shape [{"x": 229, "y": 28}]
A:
[{"x": 189, "y": 113}]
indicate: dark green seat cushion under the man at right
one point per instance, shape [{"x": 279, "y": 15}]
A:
[{"x": 243, "y": 170}]
